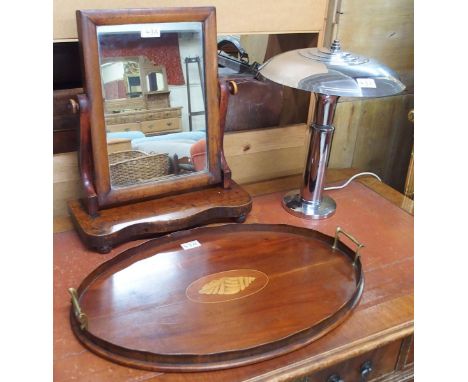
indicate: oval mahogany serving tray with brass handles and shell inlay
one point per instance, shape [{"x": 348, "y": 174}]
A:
[{"x": 239, "y": 294}]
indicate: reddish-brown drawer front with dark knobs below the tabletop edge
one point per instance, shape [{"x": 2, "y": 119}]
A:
[{"x": 383, "y": 361}]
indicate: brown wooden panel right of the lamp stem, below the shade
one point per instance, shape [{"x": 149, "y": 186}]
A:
[{"x": 374, "y": 135}]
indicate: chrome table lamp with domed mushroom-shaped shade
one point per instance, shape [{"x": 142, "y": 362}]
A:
[{"x": 329, "y": 73}]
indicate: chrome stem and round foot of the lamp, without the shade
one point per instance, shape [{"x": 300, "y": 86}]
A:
[{"x": 309, "y": 203}]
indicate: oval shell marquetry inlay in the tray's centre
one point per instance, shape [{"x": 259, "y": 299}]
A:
[{"x": 227, "y": 285}]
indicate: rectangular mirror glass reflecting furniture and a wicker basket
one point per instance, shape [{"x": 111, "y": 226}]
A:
[{"x": 152, "y": 78}]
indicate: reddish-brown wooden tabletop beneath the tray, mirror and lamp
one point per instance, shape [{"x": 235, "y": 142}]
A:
[{"x": 377, "y": 215}]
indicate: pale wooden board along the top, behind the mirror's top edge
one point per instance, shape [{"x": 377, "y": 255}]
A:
[{"x": 240, "y": 16}]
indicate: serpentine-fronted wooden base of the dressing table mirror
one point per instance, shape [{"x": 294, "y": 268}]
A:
[{"x": 113, "y": 226}]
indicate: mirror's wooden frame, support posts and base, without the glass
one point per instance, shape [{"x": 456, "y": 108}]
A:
[{"x": 106, "y": 217}]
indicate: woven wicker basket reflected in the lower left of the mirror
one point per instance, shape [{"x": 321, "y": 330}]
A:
[{"x": 134, "y": 167}]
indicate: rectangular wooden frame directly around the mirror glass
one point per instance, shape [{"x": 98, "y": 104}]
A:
[{"x": 88, "y": 21}]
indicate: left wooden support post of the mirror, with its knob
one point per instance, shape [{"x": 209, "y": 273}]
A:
[{"x": 85, "y": 154}]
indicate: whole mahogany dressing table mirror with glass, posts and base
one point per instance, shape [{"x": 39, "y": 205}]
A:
[{"x": 151, "y": 126}]
